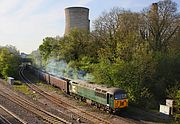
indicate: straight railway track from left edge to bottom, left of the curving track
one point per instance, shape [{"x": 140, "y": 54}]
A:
[{"x": 44, "y": 115}]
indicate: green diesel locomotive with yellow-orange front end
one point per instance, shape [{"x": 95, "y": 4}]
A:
[{"x": 111, "y": 99}]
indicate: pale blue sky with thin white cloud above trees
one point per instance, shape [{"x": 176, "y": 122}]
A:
[{"x": 24, "y": 23}]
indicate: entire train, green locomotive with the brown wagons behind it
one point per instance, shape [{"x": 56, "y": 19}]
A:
[{"x": 109, "y": 99}]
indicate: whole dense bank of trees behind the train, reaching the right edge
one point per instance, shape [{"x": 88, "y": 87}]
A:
[{"x": 138, "y": 52}]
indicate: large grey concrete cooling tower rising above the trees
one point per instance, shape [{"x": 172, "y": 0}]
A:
[{"x": 77, "y": 17}]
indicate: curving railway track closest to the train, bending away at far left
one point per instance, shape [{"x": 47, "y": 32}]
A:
[{"x": 77, "y": 113}]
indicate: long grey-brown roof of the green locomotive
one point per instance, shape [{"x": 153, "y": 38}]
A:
[{"x": 97, "y": 87}]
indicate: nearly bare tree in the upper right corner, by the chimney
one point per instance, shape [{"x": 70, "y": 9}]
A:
[{"x": 161, "y": 22}]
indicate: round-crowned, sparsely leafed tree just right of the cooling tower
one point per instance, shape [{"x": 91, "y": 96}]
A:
[{"x": 115, "y": 30}]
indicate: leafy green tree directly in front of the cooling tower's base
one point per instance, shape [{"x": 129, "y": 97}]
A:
[{"x": 75, "y": 45}]
